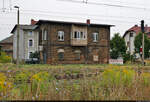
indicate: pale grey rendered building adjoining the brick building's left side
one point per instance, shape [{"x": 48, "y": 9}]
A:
[{"x": 28, "y": 41}]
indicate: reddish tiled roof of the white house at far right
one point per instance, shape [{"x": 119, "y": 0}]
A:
[{"x": 137, "y": 30}]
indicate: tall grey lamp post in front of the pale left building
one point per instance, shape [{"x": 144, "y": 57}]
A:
[{"x": 18, "y": 29}]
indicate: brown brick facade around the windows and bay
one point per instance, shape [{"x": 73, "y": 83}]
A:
[{"x": 92, "y": 53}]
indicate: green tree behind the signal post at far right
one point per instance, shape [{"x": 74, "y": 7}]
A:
[{"x": 138, "y": 44}]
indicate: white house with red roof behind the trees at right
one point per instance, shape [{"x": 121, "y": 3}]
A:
[{"x": 130, "y": 35}]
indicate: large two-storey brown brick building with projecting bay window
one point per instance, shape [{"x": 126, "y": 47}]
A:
[{"x": 73, "y": 43}]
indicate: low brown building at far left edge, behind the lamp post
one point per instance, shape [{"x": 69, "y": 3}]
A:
[{"x": 7, "y": 45}]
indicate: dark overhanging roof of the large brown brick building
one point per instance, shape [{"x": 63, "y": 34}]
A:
[{"x": 64, "y": 22}]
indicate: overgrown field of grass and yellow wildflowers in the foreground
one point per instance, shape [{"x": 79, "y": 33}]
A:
[{"x": 74, "y": 82}]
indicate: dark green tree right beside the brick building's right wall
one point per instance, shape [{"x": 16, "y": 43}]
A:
[{"x": 117, "y": 46}]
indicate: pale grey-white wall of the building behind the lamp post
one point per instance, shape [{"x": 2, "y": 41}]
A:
[{"x": 24, "y": 48}]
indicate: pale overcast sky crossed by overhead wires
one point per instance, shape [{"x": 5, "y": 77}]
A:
[{"x": 122, "y": 13}]
